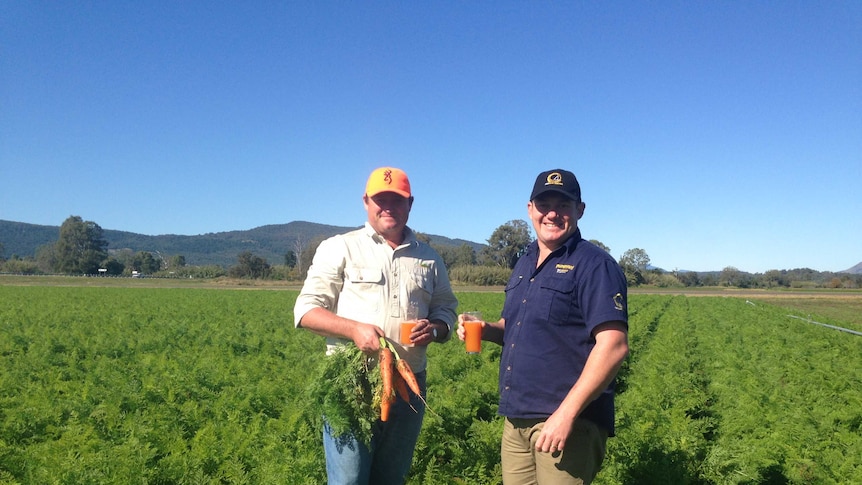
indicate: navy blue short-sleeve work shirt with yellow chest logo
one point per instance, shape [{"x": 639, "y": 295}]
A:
[{"x": 550, "y": 313}]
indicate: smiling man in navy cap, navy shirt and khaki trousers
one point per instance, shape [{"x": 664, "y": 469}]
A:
[{"x": 564, "y": 336}]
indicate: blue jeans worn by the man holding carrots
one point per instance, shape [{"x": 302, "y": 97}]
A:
[{"x": 387, "y": 460}]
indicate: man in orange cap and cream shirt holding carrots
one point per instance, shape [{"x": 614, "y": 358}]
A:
[{"x": 359, "y": 287}]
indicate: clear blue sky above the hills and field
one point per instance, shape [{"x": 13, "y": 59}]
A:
[{"x": 709, "y": 134}]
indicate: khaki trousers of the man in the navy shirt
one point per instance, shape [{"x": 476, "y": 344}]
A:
[{"x": 577, "y": 464}]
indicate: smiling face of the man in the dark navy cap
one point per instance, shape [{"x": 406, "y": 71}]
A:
[{"x": 555, "y": 218}]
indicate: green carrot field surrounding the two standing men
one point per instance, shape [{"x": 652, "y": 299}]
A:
[{"x": 196, "y": 385}]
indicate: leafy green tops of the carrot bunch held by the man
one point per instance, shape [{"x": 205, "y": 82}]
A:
[{"x": 346, "y": 389}]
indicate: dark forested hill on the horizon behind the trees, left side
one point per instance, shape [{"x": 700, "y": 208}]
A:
[{"x": 270, "y": 242}]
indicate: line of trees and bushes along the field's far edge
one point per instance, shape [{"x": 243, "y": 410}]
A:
[{"x": 81, "y": 249}]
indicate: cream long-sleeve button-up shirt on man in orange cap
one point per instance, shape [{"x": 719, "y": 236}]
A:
[{"x": 357, "y": 275}]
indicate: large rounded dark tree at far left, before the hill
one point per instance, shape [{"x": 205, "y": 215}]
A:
[{"x": 81, "y": 247}]
